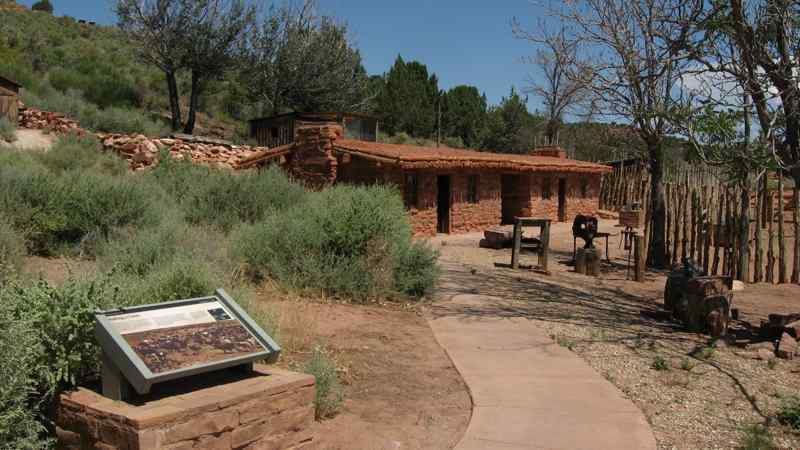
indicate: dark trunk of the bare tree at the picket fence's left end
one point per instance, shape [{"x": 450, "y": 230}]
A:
[{"x": 659, "y": 214}]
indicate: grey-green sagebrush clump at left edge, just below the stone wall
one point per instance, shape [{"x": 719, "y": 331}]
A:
[{"x": 57, "y": 204}]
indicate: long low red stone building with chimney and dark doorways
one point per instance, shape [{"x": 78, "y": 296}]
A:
[{"x": 449, "y": 190}]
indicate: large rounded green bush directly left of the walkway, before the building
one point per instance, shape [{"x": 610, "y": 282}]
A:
[{"x": 347, "y": 241}]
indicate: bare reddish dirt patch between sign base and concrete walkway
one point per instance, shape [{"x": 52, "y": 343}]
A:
[{"x": 401, "y": 389}]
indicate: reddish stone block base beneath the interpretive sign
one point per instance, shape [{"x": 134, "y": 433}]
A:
[{"x": 265, "y": 409}]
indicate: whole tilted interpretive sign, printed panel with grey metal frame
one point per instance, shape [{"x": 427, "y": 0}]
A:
[{"x": 149, "y": 344}]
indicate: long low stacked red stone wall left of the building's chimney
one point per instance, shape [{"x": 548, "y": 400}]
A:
[{"x": 142, "y": 152}]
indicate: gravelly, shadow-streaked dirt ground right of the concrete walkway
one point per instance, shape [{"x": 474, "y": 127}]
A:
[{"x": 707, "y": 395}]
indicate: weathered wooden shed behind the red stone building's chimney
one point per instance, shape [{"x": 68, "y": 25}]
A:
[{"x": 280, "y": 130}]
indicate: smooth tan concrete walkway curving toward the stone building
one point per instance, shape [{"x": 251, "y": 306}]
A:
[{"x": 528, "y": 392}]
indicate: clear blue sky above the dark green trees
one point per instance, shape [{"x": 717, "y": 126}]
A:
[{"x": 462, "y": 41}]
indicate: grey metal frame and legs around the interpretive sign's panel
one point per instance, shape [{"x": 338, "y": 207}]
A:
[{"x": 122, "y": 367}]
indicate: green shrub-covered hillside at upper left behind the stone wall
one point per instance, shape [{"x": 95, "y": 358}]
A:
[{"x": 90, "y": 73}]
